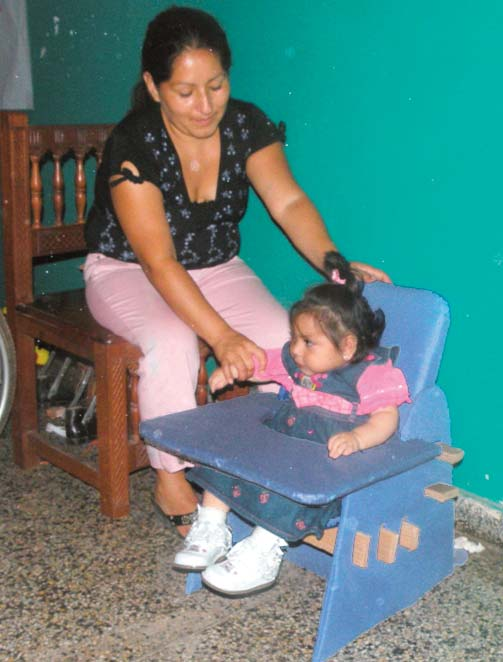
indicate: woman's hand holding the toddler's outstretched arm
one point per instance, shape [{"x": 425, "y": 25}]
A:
[{"x": 235, "y": 353}]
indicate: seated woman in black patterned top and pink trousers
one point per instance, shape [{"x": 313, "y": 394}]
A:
[{"x": 163, "y": 232}]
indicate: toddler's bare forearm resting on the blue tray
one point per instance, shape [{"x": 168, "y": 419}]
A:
[{"x": 378, "y": 429}]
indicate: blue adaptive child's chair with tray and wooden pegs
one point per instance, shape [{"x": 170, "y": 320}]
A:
[{"x": 394, "y": 539}]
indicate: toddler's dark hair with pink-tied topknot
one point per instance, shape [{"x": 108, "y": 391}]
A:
[{"x": 340, "y": 308}]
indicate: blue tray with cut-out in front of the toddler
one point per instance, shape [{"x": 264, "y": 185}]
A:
[{"x": 231, "y": 437}]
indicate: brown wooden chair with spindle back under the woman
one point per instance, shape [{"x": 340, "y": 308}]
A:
[{"x": 62, "y": 320}]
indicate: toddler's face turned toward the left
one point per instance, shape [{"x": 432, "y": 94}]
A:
[{"x": 312, "y": 351}]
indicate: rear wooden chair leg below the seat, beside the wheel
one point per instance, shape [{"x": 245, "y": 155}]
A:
[{"x": 25, "y": 411}]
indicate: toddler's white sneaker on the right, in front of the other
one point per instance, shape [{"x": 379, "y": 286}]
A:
[{"x": 250, "y": 566}]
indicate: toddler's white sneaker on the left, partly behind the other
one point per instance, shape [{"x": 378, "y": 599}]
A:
[{"x": 207, "y": 542}]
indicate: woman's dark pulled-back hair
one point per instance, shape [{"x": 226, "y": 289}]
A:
[{"x": 169, "y": 34}]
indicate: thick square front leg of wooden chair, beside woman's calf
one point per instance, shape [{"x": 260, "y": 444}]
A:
[{"x": 113, "y": 458}]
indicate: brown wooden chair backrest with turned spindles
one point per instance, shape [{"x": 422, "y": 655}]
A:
[{"x": 32, "y": 233}]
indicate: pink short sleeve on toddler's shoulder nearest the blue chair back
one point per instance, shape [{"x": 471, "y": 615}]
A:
[{"x": 381, "y": 386}]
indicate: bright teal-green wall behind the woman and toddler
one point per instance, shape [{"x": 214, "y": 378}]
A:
[{"x": 393, "y": 112}]
